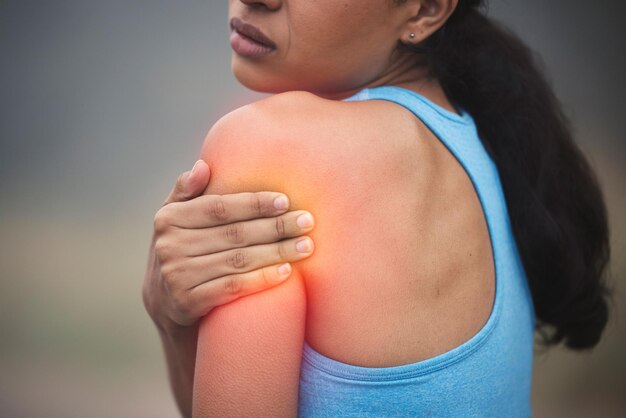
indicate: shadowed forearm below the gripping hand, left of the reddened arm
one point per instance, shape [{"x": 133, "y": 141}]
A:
[{"x": 180, "y": 354}]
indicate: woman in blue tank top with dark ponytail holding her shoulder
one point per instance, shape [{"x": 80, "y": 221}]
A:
[{"x": 454, "y": 216}]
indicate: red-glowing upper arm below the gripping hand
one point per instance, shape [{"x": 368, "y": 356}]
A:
[{"x": 249, "y": 351}]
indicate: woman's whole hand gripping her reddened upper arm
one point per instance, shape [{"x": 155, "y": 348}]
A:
[{"x": 208, "y": 250}]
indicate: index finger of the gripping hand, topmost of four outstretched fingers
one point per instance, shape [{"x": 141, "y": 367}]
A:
[{"x": 213, "y": 210}]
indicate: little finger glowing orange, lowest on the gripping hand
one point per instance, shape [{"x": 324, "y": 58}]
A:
[{"x": 228, "y": 288}]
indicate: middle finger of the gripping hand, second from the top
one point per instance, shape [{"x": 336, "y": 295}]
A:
[{"x": 205, "y": 241}]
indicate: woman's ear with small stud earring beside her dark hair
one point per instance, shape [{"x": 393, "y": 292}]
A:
[{"x": 425, "y": 17}]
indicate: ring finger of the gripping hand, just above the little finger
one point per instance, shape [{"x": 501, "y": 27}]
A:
[{"x": 242, "y": 260}]
